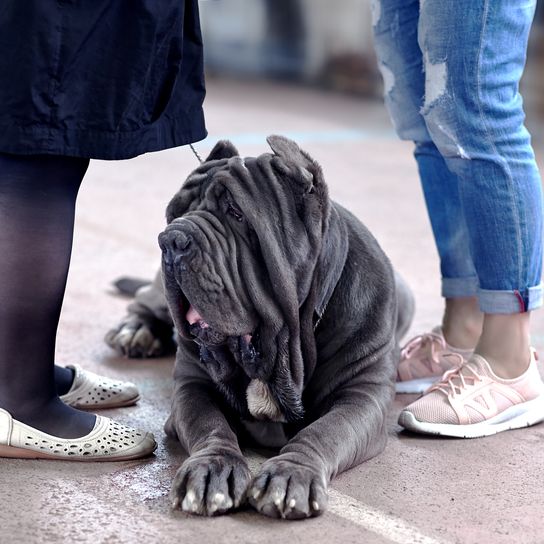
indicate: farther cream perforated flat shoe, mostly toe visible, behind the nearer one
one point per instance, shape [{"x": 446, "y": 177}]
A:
[{"x": 90, "y": 391}]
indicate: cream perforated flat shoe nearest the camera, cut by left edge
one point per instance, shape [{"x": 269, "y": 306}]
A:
[{"x": 108, "y": 441}]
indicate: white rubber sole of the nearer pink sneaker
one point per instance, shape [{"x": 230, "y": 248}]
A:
[{"x": 516, "y": 417}]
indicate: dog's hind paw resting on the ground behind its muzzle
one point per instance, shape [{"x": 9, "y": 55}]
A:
[{"x": 137, "y": 337}]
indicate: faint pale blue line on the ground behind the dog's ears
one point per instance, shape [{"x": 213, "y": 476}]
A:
[{"x": 302, "y": 137}]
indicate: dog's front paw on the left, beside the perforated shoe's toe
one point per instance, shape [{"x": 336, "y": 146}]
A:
[{"x": 209, "y": 485}]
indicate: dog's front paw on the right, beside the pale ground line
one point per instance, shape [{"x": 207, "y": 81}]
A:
[{"x": 287, "y": 489}]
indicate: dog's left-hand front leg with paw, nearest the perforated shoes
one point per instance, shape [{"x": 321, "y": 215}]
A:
[{"x": 215, "y": 476}]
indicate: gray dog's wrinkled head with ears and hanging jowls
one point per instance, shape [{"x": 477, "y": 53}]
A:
[{"x": 241, "y": 255}]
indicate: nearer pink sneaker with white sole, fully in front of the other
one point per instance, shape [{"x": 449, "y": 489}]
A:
[{"x": 471, "y": 401}]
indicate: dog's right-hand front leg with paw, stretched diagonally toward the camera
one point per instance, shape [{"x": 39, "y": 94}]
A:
[{"x": 294, "y": 484}]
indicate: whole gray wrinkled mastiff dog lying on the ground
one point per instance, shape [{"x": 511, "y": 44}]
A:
[{"x": 287, "y": 319}]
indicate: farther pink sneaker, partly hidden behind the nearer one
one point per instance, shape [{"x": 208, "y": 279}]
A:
[{"x": 424, "y": 360}]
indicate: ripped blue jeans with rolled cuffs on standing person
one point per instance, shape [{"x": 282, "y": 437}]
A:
[{"x": 451, "y": 72}]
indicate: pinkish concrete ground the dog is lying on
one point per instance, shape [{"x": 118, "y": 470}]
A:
[{"x": 419, "y": 490}]
